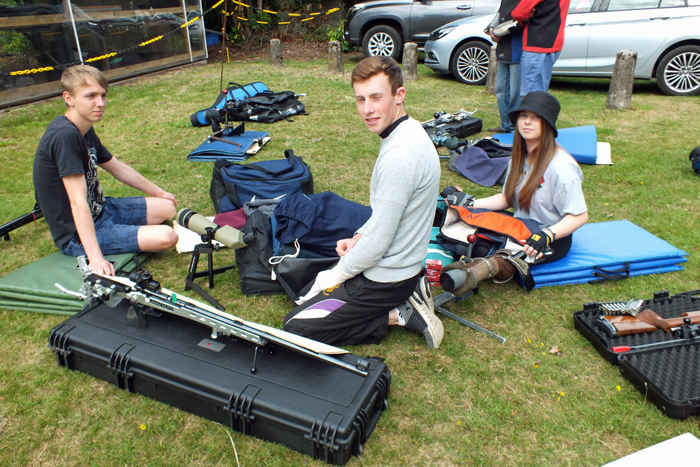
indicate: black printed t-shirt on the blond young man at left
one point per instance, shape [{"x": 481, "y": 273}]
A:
[{"x": 62, "y": 152}]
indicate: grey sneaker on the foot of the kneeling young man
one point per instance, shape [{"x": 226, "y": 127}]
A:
[{"x": 419, "y": 313}]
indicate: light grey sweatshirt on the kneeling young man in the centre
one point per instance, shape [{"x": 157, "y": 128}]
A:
[{"x": 403, "y": 195}]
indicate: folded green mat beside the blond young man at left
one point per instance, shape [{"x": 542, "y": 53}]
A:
[{"x": 32, "y": 288}]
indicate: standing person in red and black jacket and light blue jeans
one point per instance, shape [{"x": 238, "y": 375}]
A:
[{"x": 543, "y": 39}]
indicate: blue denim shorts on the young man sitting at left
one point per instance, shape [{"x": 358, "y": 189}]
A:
[{"x": 117, "y": 228}]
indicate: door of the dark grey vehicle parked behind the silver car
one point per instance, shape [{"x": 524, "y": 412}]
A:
[{"x": 428, "y": 15}]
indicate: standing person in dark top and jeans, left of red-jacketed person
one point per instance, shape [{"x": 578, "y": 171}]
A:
[{"x": 508, "y": 53}]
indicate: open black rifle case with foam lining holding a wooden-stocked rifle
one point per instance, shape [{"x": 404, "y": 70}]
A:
[{"x": 662, "y": 365}]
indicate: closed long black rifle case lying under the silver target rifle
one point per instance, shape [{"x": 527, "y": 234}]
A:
[{"x": 311, "y": 406}]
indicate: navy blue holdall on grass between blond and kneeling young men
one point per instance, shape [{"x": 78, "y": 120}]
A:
[{"x": 233, "y": 185}]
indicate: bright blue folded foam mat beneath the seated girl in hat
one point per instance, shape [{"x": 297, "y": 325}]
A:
[{"x": 617, "y": 247}]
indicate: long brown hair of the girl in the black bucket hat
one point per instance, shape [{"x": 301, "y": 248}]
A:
[{"x": 539, "y": 159}]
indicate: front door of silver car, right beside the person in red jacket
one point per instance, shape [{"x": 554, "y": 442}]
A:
[{"x": 572, "y": 60}]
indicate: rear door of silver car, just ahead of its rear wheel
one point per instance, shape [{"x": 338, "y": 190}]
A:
[{"x": 638, "y": 25}]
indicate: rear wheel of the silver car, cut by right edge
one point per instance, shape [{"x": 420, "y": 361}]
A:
[{"x": 678, "y": 73}]
